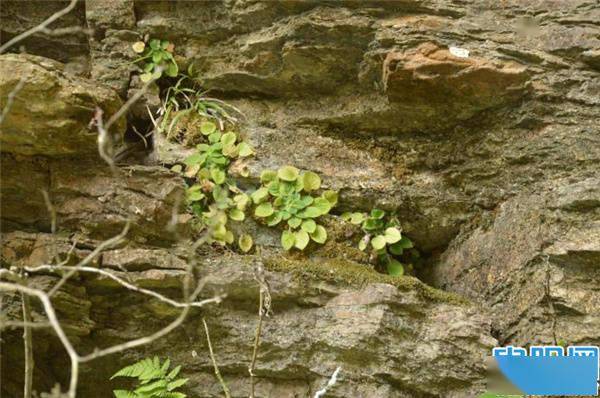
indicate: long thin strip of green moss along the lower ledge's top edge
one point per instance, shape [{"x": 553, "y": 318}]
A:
[{"x": 348, "y": 273}]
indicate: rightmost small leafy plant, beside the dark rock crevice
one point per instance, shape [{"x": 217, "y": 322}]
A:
[{"x": 384, "y": 236}]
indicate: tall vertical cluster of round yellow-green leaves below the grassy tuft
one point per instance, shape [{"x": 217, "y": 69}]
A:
[{"x": 213, "y": 197}]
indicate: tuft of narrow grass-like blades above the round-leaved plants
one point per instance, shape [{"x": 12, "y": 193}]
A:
[{"x": 185, "y": 98}]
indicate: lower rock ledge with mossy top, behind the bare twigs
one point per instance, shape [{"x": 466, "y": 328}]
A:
[{"x": 391, "y": 336}]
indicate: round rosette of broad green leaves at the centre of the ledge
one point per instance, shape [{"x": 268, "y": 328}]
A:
[{"x": 286, "y": 196}]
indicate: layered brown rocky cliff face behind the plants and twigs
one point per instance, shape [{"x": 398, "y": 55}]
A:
[{"x": 490, "y": 159}]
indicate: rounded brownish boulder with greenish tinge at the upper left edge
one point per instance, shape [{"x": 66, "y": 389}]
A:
[{"x": 52, "y": 110}]
